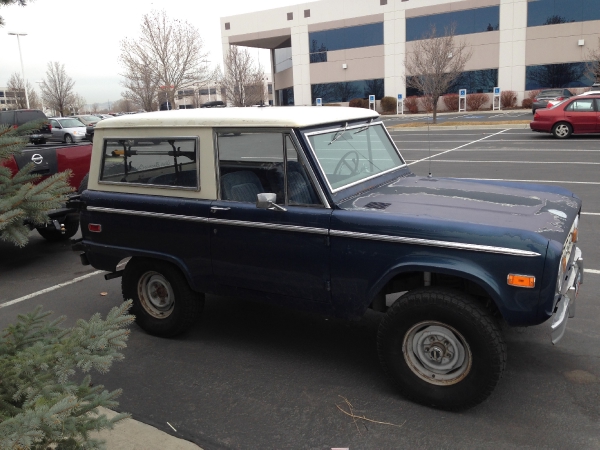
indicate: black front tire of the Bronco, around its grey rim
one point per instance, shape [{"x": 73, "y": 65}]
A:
[{"x": 459, "y": 312}]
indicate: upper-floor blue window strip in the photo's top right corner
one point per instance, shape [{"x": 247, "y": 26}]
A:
[{"x": 552, "y": 12}]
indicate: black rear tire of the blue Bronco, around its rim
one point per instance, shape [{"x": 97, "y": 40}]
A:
[{"x": 187, "y": 304}]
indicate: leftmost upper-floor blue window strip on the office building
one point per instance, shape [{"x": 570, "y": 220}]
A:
[{"x": 320, "y": 42}]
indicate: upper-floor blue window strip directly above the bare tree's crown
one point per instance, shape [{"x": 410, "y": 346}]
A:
[{"x": 468, "y": 21}]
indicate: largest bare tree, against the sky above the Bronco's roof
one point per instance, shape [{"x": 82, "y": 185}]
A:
[{"x": 168, "y": 53}]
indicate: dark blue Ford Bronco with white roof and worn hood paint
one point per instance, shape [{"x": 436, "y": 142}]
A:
[{"x": 315, "y": 208}]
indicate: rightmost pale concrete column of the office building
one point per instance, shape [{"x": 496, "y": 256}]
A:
[{"x": 513, "y": 37}]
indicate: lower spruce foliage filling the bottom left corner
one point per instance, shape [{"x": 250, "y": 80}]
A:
[{"x": 40, "y": 405}]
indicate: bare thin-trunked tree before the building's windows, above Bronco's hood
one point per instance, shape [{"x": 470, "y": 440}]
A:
[{"x": 435, "y": 63}]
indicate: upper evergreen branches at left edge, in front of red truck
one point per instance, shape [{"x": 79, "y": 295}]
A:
[{"x": 24, "y": 200}]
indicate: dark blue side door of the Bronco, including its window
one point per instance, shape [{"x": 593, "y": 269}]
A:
[{"x": 282, "y": 250}]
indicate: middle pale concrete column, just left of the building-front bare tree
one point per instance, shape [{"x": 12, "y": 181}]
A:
[{"x": 394, "y": 40}]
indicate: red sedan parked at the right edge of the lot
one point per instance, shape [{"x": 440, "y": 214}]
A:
[{"x": 576, "y": 115}]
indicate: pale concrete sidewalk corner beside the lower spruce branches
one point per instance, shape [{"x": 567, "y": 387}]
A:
[{"x": 133, "y": 435}]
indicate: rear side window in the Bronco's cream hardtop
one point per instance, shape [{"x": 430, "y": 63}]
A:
[{"x": 159, "y": 162}]
